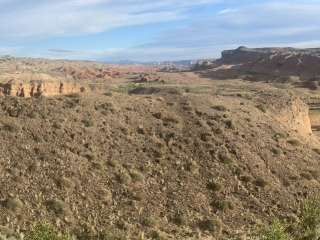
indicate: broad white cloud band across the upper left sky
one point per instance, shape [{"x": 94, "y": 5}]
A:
[{"x": 76, "y": 17}]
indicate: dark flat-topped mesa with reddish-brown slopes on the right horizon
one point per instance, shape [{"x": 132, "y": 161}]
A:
[{"x": 277, "y": 64}]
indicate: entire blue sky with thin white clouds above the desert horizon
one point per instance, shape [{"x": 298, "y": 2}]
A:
[{"x": 146, "y": 30}]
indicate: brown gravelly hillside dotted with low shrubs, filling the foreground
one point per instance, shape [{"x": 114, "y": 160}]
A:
[{"x": 180, "y": 158}]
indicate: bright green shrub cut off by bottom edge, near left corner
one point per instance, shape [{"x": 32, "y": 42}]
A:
[{"x": 46, "y": 232}]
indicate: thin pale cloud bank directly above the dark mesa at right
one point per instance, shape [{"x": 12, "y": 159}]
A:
[{"x": 266, "y": 23}]
